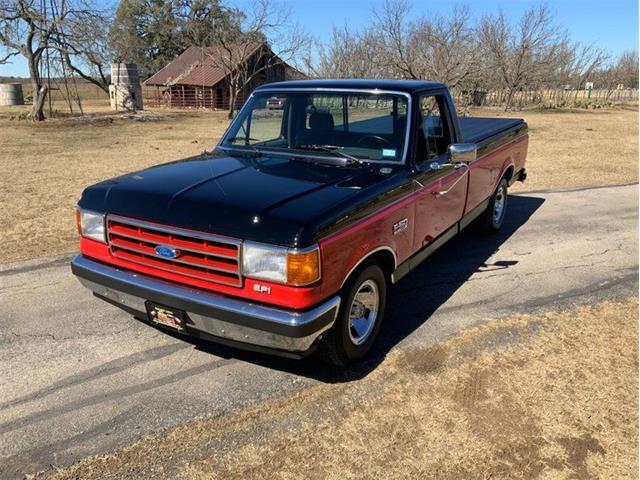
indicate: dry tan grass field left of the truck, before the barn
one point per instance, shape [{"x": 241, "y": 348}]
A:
[{"x": 45, "y": 167}]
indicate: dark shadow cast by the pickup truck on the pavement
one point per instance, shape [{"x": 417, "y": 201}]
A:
[{"x": 417, "y": 296}]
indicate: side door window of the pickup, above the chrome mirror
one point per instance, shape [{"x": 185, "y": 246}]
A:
[{"x": 433, "y": 136}]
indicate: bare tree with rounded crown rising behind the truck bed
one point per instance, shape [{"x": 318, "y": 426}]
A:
[{"x": 525, "y": 55}]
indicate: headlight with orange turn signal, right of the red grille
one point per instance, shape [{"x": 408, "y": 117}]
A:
[{"x": 281, "y": 265}]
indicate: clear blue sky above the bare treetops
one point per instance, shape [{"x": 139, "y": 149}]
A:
[{"x": 611, "y": 24}]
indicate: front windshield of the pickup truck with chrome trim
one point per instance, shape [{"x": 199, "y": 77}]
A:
[{"x": 362, "y": 126}]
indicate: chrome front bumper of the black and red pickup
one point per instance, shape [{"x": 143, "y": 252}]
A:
[{"x": 224, "y": 318}]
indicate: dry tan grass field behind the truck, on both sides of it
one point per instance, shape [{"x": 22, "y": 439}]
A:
[{"x": 45, "y": 167}]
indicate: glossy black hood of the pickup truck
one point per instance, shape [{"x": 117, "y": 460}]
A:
[{"x": 269, "y": 199}]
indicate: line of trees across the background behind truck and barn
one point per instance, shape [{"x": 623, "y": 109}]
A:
[{"x": 490, "y": 58}]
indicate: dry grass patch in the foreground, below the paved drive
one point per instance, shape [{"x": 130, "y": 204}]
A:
[{"x": 553, "y": 395}]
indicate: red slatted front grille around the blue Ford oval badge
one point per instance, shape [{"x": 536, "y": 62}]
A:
[{"x": 202, "y": 256}]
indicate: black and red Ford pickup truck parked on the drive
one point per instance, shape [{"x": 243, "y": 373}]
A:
[{"x": 286, "y": 237}]
